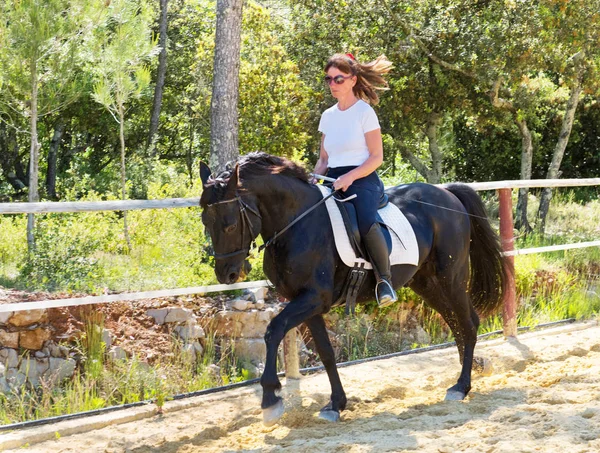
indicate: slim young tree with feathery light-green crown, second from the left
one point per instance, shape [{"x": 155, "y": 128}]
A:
[{"x": 123, "y": 45}]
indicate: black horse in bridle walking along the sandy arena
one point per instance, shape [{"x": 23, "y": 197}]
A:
[{"x": 461, "y": 271}]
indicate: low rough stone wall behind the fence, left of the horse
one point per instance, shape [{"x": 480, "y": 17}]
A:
[{"x": 32, "y": 353}]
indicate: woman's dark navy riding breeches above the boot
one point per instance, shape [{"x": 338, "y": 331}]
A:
[{"x": 368, "y": 192}]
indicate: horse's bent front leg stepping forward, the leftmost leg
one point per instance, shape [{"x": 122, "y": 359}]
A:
[{"x": 297, "y": 311}]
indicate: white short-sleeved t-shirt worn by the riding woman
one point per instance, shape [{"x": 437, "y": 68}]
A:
[{"x": 345, "y": 131}]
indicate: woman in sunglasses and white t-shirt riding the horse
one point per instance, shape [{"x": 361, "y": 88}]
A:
[{"x": 352, "y": 149}]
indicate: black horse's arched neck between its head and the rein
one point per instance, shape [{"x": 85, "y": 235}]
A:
[{"x": 280, "y": 200}]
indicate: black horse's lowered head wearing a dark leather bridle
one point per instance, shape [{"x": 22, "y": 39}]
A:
[{"x": 232, "y": 221}]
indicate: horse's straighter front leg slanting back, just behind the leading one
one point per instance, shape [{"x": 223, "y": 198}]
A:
[{"x": 338, "y": 400}]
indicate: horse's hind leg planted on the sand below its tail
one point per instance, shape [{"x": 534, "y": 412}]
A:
[{"x": 448, "y": 295}]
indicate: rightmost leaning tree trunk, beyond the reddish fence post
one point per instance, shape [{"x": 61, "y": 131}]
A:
[{"x": 559, "y": 152}]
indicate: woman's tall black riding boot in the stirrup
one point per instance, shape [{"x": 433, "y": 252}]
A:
[{"x": 379, "y": 256}]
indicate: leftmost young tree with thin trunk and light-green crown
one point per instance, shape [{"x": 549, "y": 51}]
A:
[{"x": 39, "y": 61}]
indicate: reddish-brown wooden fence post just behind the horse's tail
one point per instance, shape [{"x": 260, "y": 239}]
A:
[{"x": 509, "y": 312}]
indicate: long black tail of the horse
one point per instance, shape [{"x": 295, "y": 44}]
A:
[{"x": 490, "y": 270}]
